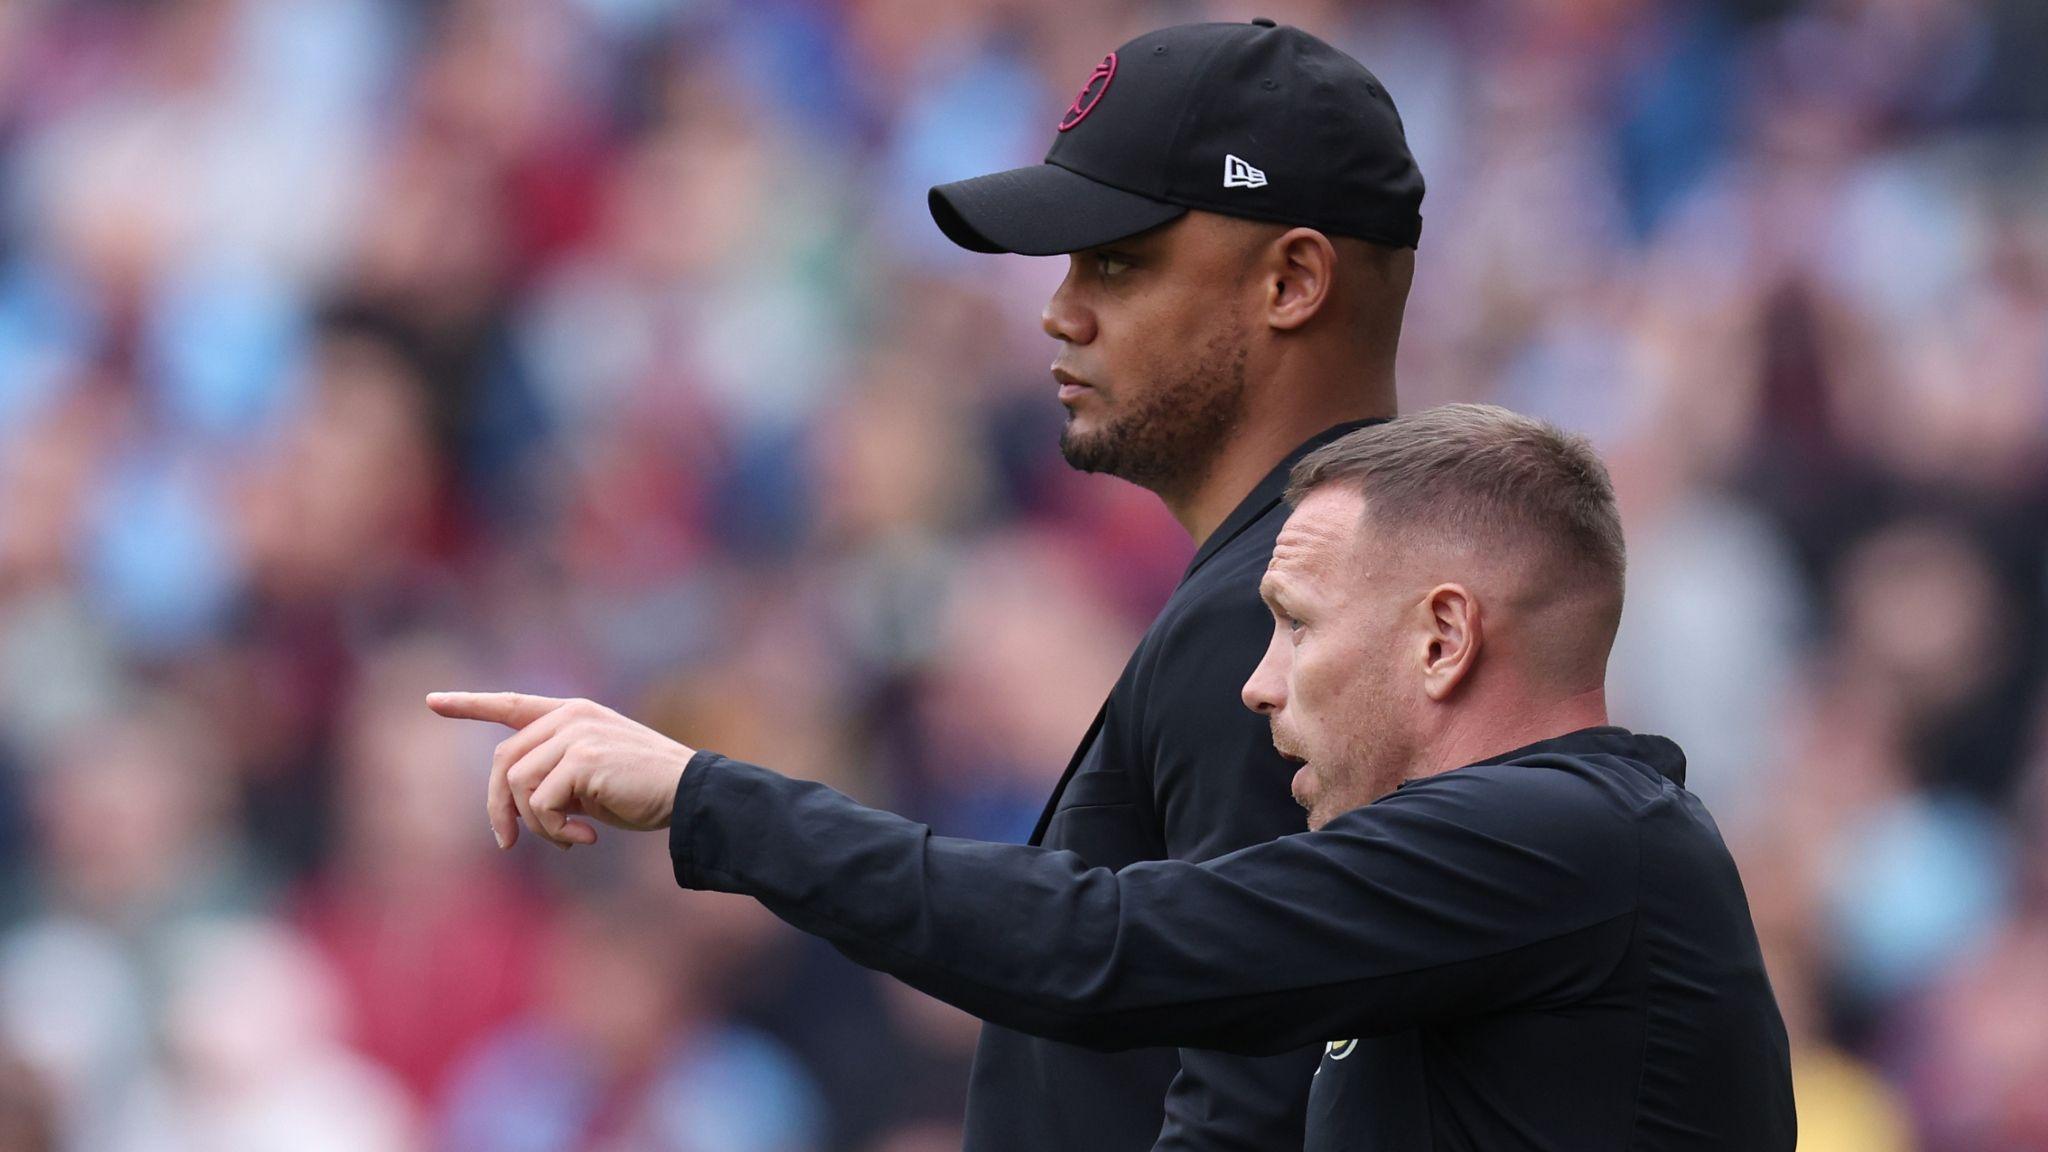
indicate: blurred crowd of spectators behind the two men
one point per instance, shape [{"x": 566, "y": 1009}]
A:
[{"x": 353, "y": 349}]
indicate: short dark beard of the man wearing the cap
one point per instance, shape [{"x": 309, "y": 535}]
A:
[{"x": 1170, "y": 440}]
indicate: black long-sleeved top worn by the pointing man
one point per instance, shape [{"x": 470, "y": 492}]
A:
[{"x": 1549, "y": 950}]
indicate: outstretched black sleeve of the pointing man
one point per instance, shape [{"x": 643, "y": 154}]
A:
[{"x": 1455, "y": 897}]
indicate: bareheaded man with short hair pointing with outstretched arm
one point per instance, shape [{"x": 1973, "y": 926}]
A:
[{"x": 1510, "y": 923}]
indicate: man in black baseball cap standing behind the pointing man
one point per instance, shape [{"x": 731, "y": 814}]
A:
[{"x": 1240, "y": 212}]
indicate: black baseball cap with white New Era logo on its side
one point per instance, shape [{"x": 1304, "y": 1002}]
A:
[{"x": 1252, "y": 120}]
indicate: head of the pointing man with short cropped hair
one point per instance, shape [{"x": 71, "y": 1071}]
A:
[{"x": 1523, "y": 513}]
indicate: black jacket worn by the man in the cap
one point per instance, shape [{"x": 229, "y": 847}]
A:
[{"x": 1175, "y": 768}]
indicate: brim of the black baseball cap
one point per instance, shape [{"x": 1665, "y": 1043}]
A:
[{"x": 1041, "y": 212}]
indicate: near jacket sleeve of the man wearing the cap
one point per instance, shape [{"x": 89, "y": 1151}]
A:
[{"x": 1220, "y": 786}]
